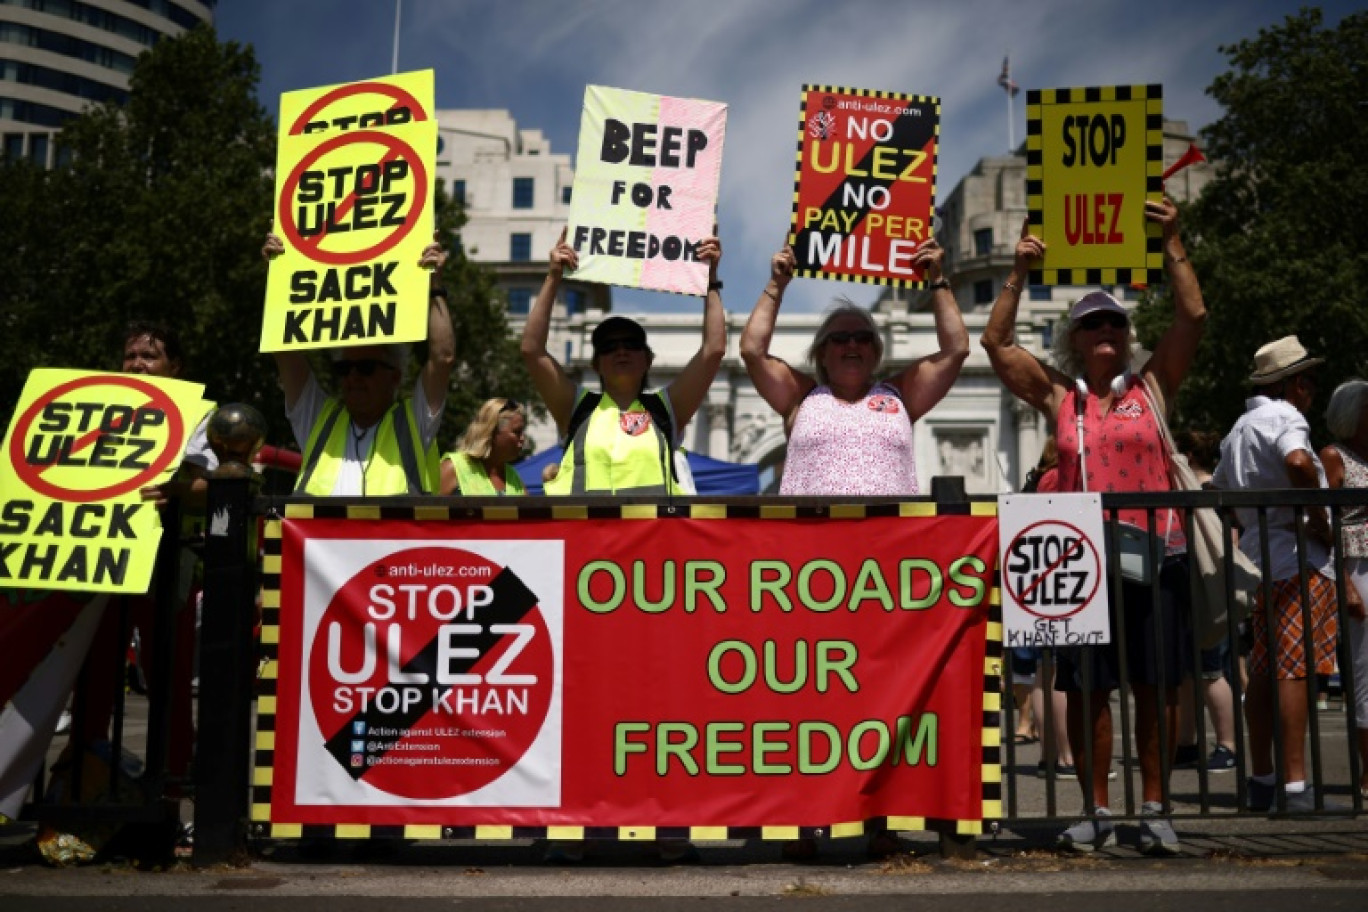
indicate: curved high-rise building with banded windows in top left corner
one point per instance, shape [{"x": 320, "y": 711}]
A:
[{"x": 58, "y": 57}]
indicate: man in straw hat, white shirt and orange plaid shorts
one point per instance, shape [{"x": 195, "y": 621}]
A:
[{"x": 1270, "y": 449}]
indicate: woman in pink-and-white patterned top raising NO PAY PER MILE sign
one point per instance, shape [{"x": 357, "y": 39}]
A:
[{"x": 835, "y": 449}]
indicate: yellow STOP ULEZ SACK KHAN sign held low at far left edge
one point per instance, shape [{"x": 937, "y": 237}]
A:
[{"x": 80, "y": 448}]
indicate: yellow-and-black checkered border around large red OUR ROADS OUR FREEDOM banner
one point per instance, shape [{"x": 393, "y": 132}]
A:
[{"x": 263, "y": 773}]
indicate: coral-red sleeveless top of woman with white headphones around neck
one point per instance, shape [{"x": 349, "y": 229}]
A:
[{"x": 1124, "y": 452}]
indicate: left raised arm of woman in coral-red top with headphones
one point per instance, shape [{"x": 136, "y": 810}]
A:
[{"x": 1029, "y": 379}]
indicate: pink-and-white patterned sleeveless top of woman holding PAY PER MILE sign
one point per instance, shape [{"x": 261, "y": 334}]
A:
[{"x": 852, "y": 448}]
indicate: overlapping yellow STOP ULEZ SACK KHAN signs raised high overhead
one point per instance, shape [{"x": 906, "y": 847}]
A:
[{"x": 354, "y": 207}]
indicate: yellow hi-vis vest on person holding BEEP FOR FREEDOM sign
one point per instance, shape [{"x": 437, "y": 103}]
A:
[{"x": 618, "y": 452}]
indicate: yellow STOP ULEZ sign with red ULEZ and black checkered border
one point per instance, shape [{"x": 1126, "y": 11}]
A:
[{"x": 1094, "y": 158}]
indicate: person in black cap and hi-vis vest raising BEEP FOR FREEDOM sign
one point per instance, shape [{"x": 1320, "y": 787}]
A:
[{"x": 620, "y": 441}]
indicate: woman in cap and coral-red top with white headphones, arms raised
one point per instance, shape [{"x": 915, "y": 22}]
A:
[{"x": 1110, "y": 440}]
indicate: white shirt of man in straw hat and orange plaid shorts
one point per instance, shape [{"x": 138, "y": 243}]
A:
[{"x": 1254, "y": 457}]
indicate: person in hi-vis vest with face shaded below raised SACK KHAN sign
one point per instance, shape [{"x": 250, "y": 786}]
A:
[{"x": 367, "y": 440}]
